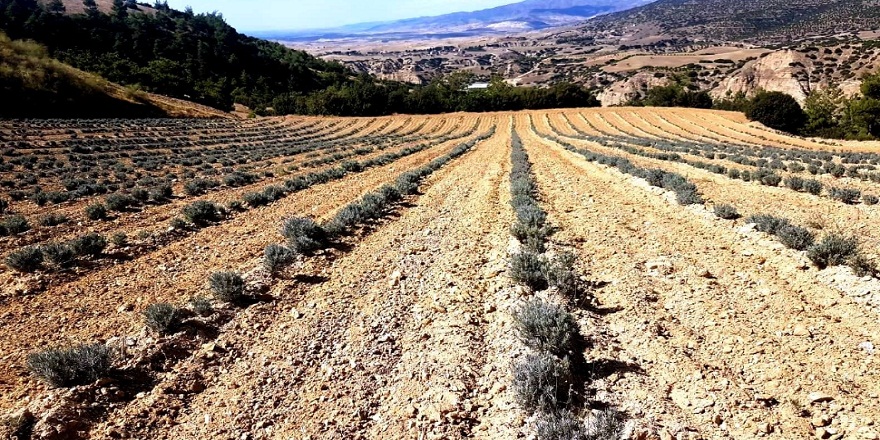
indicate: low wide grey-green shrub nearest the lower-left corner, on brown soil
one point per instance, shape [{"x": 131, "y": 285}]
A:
[{"x": 67, "y": 367}]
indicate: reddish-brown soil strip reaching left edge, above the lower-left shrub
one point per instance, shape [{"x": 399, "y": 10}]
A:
[{"x": 108, "y": 302}]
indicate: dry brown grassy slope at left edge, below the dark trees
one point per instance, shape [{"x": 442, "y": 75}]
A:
[{"x": 36, "y": 86}]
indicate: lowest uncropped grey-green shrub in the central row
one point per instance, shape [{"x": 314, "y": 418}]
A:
[{"x": 541, "y": 382}]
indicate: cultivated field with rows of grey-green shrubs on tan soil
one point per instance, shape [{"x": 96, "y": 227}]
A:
[{"x": 654, "y": 273}]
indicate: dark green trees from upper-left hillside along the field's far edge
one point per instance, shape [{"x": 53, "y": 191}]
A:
[{"x": 199, "y": 57}]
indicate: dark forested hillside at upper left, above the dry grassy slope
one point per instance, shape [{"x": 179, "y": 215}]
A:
[{"x": 189, "y": 56}]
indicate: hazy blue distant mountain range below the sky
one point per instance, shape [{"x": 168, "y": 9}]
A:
[{"x": 524, "y": 16}]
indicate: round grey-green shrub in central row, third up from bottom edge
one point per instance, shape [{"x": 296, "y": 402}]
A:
[{"x": 547, "y": 327}]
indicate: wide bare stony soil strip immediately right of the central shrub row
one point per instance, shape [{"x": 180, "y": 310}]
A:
[{"x": 714, "y": 339}]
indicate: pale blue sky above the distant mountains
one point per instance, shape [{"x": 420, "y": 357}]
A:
[{"x": 251, "y": 15}]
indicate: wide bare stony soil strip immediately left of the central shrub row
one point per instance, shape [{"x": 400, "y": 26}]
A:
[{"x": 390, "y": 344}]
